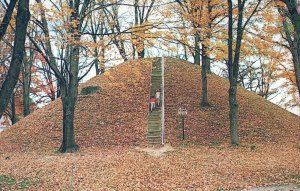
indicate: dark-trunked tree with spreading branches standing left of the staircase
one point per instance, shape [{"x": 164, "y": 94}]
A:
[{"x": 71, "y": 23}]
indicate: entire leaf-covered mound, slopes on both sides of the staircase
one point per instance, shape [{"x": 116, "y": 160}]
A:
[{"x": 117, "y": 115}]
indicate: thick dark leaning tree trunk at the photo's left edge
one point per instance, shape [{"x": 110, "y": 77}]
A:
[{"x": 17, "y": 57}]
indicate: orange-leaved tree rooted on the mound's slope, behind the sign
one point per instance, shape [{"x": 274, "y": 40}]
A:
[{"x": 203, "y": 17}]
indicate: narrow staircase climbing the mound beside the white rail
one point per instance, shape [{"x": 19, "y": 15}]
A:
[{"x": 154, "y": 117}]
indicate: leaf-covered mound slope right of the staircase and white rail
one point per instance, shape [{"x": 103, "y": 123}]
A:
[{"x": 260, "y": 121}]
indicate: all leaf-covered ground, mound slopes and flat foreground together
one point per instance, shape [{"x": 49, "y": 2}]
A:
[{"x": 111, "y": 123}]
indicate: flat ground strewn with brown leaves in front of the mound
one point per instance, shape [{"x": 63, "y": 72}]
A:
[{"x": 186, "y": 168}]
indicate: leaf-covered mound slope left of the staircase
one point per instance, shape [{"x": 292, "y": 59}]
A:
[{"x": 115, "y": 115}]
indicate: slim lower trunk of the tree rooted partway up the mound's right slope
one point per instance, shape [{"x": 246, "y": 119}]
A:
[{"x": 205, "y": 63}]
